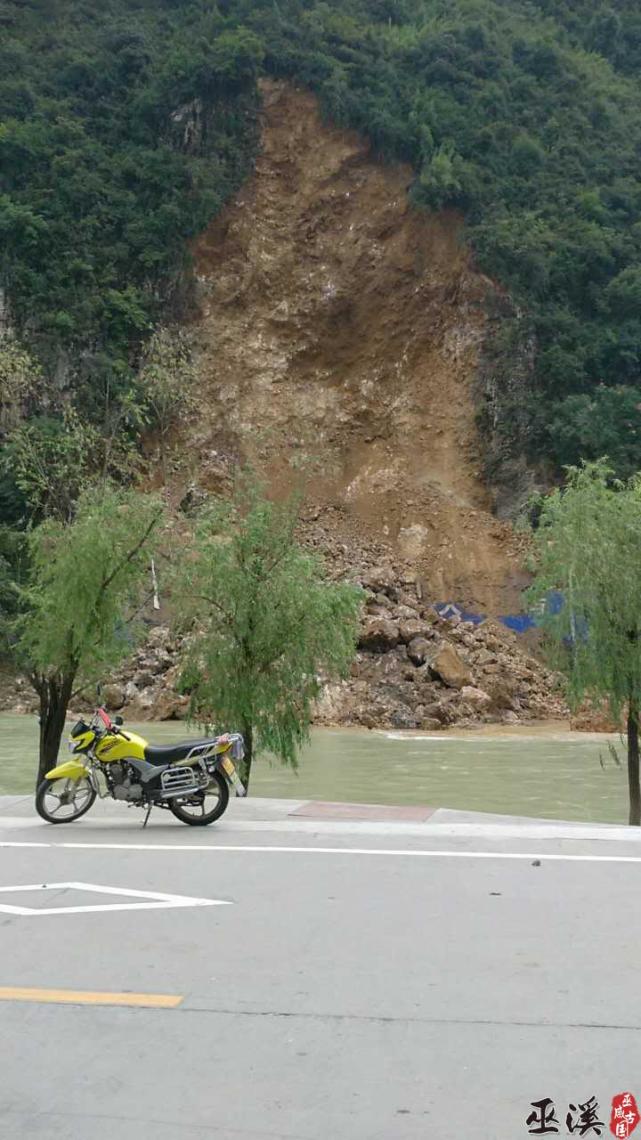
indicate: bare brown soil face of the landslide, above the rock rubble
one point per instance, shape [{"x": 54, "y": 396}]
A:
[{"x": 339, "y": 324}]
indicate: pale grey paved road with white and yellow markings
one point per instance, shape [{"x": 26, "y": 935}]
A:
[{"x": 363, "y": 982}]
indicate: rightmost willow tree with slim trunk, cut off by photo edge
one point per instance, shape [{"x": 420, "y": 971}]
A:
[{"x": 589, "y": 549}]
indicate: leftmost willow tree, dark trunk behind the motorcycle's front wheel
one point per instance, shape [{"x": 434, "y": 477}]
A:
[{"x": 87, "y": 579}]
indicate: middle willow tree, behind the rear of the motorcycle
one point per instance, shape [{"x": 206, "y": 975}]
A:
[{"x": 265, "y": 624}]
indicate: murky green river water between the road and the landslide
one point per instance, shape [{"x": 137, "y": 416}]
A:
[{"x": 530, "y": 772}]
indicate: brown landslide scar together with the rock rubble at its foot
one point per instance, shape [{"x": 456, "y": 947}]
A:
[{"x": 338, "y": 332}]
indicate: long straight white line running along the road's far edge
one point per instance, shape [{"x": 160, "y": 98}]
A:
[{"x": 336, "y": 851}]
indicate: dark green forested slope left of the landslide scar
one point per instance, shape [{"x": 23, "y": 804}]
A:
[{"x": 124, "y": 128}]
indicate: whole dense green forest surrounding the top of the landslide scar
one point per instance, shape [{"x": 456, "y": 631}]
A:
[{"x": 126, "y": 126}]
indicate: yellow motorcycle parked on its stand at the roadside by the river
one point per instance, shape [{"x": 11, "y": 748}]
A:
[{"x": 192, "y": 779}]
